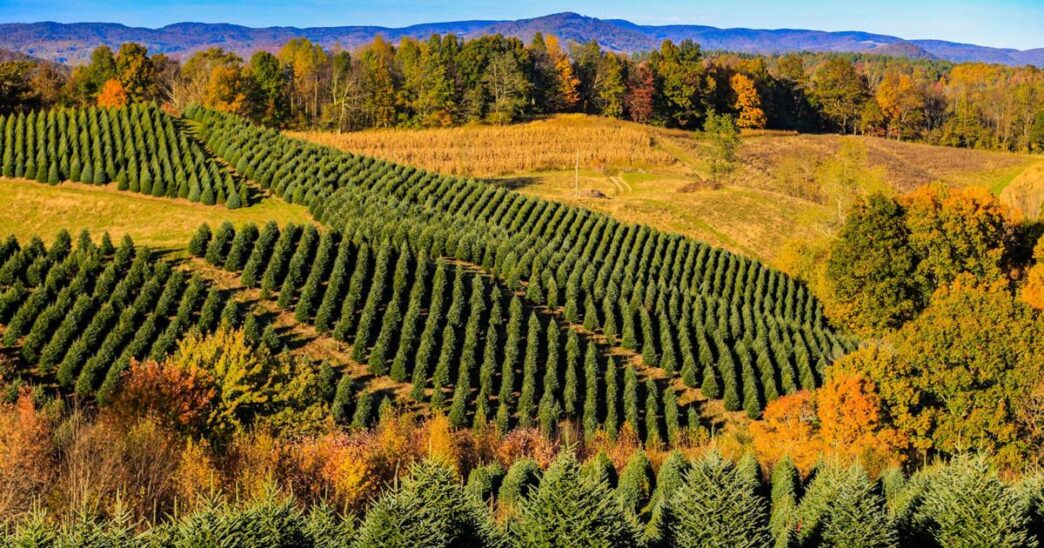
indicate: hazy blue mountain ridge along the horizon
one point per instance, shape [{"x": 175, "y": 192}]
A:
[{"x": 73, "y": 43}]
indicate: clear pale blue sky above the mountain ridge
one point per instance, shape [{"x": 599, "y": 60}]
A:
[{"x": 999, "y": 23}]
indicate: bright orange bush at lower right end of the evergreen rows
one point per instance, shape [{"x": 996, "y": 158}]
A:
[{"x": 842, "y": 421}]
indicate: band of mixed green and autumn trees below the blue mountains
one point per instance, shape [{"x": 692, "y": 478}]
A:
[{"x": 446, "y": 81}]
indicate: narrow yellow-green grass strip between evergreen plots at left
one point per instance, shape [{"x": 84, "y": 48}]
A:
[{"x": 32, "y": 209}]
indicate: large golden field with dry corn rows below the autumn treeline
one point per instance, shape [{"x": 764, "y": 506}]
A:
[{"x": 785, "y": 187}]
